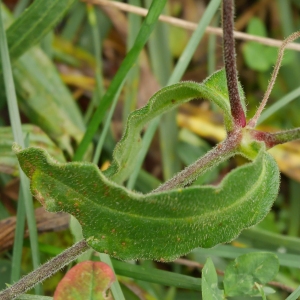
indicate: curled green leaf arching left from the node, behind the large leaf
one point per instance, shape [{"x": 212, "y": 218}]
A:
[{"x": 126, "y": 151}]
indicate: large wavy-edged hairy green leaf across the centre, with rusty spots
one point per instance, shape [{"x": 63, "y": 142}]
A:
[{"x": 159, "y": 226}]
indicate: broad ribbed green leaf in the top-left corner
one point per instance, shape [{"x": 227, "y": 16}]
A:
[{"x": 34, "y": 24}]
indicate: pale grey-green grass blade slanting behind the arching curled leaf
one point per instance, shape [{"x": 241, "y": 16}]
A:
[{"x": 178, "y": 72}]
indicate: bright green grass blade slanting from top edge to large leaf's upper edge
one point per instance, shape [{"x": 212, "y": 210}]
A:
[{"x": 118, "y": 81}]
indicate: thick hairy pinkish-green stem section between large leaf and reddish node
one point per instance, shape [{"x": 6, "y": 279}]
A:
[{"x": 220, "y": 153}]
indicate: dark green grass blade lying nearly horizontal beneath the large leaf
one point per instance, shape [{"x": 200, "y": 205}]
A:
[{"x": 157, "y": 276}]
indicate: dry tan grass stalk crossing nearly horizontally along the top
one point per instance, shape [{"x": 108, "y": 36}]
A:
[{"x": 192, "y": 26}]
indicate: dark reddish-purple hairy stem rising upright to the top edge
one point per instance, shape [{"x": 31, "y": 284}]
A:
[{"x": 237, "y": 111}]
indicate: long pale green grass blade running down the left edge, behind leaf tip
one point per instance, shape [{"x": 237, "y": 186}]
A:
[{"x": 18, "y": 136}]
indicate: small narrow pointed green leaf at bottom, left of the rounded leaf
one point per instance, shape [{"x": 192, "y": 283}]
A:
[{"x": 210, "y": 290}]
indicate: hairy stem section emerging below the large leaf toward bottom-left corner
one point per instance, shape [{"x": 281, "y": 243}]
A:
[{"x": 44, "y": 271}]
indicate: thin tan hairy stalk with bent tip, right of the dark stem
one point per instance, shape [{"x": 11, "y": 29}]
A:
[{"x": 288, "y": 40}]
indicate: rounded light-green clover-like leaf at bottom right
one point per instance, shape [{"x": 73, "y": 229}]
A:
[{"x": 248, "y": 269}]
